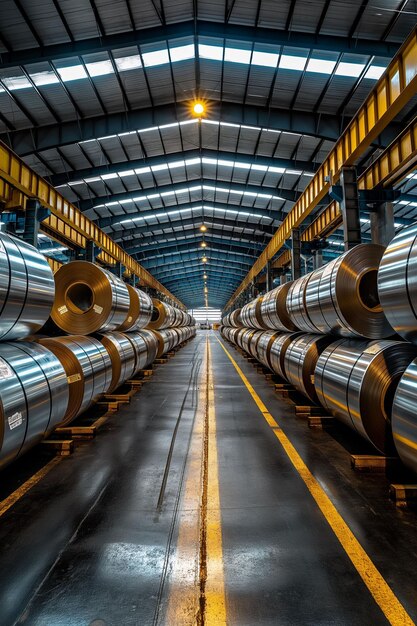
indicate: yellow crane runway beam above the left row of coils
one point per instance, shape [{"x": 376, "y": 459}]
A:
[{"x": 66, "y": 223}]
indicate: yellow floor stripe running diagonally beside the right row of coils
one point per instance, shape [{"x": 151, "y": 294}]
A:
[{"x": 377, "y": 585}]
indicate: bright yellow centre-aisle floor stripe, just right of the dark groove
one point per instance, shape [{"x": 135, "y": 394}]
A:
[{"x": 215, "y": 612}]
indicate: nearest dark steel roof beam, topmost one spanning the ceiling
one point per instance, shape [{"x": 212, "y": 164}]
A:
[{"x": 238, "y": 33}]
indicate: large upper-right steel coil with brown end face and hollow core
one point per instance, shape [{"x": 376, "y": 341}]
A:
[{"x": 341, "y": 298}]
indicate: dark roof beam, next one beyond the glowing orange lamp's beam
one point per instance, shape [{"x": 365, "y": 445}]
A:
[{"x": 113, "y": 168}]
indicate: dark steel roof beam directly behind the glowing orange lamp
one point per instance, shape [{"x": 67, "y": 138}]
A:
[{"x": 324, "y": 126}]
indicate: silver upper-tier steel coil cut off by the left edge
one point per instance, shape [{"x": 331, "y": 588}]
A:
[{"x": 27, "y": 289}]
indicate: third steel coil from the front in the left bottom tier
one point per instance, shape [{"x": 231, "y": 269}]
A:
[{"x": 122, "y": 355}]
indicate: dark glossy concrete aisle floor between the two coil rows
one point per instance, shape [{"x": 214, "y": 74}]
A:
[{"x": 128, "y": 532}]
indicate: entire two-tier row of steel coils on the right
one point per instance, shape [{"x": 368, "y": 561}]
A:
[{"x": 348, "y": 356}]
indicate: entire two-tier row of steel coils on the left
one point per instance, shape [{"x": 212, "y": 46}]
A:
[{"x": 49, "y": 381}]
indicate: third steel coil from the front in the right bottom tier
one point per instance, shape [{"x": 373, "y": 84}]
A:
[{"x": 300, "y": 361}]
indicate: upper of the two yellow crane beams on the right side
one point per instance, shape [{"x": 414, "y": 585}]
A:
[{"x": 392, "y": 92}]
